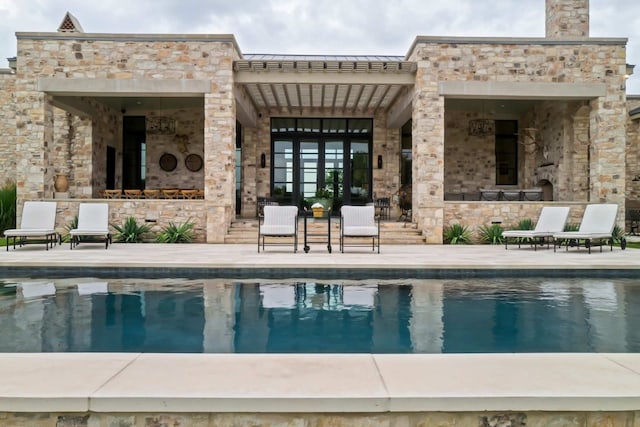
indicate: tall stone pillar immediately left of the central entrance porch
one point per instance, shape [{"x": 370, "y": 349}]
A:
[{"x": 219, "y": 156}]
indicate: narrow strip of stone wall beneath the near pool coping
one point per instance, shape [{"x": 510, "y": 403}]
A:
[{"x": 400, "y": 419}]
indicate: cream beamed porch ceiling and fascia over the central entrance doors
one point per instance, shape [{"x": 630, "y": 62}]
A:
[{"x": 338, "y": 83}]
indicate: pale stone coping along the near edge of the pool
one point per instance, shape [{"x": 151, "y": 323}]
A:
[{"x": 339, "y": 383}]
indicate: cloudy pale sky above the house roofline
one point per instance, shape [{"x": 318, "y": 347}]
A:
[{"x": 383, "y": 27}]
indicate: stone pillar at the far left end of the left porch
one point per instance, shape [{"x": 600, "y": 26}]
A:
[{"x": 34, "y": 136}]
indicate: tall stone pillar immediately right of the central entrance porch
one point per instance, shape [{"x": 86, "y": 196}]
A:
[{"x": 428, "y": 158}]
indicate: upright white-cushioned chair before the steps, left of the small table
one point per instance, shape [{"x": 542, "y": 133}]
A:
[{"x": 278, "y": 222}]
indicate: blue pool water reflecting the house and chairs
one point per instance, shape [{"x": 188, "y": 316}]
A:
[{"x": 414, "y": 316}]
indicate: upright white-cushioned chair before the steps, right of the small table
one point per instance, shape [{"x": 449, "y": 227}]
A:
[{"x": 359, "y": 223}]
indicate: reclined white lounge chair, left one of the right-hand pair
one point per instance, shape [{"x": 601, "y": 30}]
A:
[{"x": 552, "y": 220}]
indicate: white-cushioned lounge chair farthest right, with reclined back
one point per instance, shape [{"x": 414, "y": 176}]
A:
[{"x": 596, "y": 228}]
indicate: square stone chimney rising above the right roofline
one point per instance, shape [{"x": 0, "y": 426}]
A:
[{"x": 567, "y": 19}]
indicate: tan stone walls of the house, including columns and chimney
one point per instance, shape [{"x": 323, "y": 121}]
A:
[{"x": 574, "y": 146}]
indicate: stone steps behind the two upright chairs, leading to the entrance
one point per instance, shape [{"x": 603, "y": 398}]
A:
[{"x": 245, "y": 230}]
